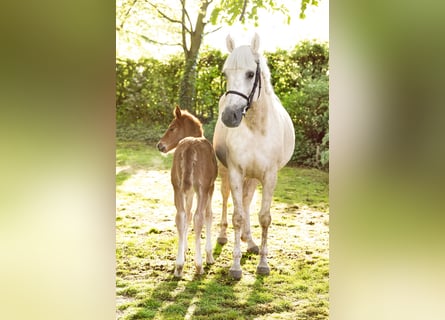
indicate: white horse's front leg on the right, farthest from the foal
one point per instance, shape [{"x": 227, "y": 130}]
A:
[{"x": 269, "y": 182}]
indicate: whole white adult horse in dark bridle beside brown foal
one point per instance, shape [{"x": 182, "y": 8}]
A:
[{"x": 254, "y": 138}]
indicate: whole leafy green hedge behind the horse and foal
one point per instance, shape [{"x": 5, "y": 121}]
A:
[{"x": 147, "y": 91}]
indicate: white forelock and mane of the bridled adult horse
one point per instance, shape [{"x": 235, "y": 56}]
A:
[{"x": 241, "y": 57}]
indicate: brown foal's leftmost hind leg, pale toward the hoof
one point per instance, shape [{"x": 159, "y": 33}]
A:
[{"x": 181, "y": 225}]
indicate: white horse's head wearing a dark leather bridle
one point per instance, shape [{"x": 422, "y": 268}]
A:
[{"x": 243, "y": 73}]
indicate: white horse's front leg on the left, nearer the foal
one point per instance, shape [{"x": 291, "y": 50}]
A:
[{"x": 236, "y": 185}]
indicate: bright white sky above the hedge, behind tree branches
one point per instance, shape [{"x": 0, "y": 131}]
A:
[{"x": 276, "y": 33}]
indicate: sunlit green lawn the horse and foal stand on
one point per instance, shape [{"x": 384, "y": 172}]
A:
[{"x": 146, "y": 244}]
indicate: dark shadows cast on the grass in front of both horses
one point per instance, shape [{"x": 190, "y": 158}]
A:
[{"x": 213, "y": 295}]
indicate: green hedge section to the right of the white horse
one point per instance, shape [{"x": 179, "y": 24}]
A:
[{"x": 301, "y": 80}]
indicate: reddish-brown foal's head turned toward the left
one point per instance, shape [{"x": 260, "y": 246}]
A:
[{"x": 183, "y": 125}]
